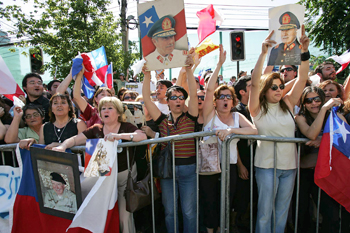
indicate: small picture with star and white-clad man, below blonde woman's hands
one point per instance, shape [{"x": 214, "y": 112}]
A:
[{"x": 99, "y": 157}]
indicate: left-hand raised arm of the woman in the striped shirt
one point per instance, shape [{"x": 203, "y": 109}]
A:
[{"x": 146, "y": 93}]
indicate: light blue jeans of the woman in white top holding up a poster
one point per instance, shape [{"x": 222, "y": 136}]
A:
[{"x": 284, "y": 191}]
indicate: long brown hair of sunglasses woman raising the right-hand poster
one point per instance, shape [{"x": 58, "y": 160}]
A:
[{"x": 265, "y": 84}]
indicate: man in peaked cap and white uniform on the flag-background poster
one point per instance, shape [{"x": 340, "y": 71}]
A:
[{"x": 165, "y": 55}]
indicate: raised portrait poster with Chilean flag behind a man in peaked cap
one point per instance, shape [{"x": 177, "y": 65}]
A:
[{"x": 163, "y": 33}]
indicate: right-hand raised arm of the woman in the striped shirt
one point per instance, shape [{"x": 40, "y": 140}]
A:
[{"x": 192, "y": 86}]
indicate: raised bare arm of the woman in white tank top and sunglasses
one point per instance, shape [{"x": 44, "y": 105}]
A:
[{"x": 208, "y": 107}]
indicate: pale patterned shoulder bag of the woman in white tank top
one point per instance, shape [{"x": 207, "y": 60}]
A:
[{"x": 208, "y": 155}]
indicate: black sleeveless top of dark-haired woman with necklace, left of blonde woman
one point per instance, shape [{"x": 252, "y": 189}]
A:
[{"x": 51, "y": 133}]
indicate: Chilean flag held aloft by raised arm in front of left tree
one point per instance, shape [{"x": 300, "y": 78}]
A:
[{"x": 95, "y": 64}]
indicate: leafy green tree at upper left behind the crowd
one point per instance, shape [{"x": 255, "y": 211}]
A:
[{"x": 68, "y": 27}]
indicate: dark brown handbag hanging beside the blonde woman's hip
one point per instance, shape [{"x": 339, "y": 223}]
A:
[{"x": 138, "y": 193}]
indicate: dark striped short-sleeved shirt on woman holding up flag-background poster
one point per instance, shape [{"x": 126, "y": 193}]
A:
[{"x": 184, "y": 124}]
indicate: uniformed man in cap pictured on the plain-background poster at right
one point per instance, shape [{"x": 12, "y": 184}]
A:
[{"x": 287, "y": 52}]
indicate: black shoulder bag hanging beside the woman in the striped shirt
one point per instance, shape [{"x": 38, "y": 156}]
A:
[{"x": 162, "y": 161}]
